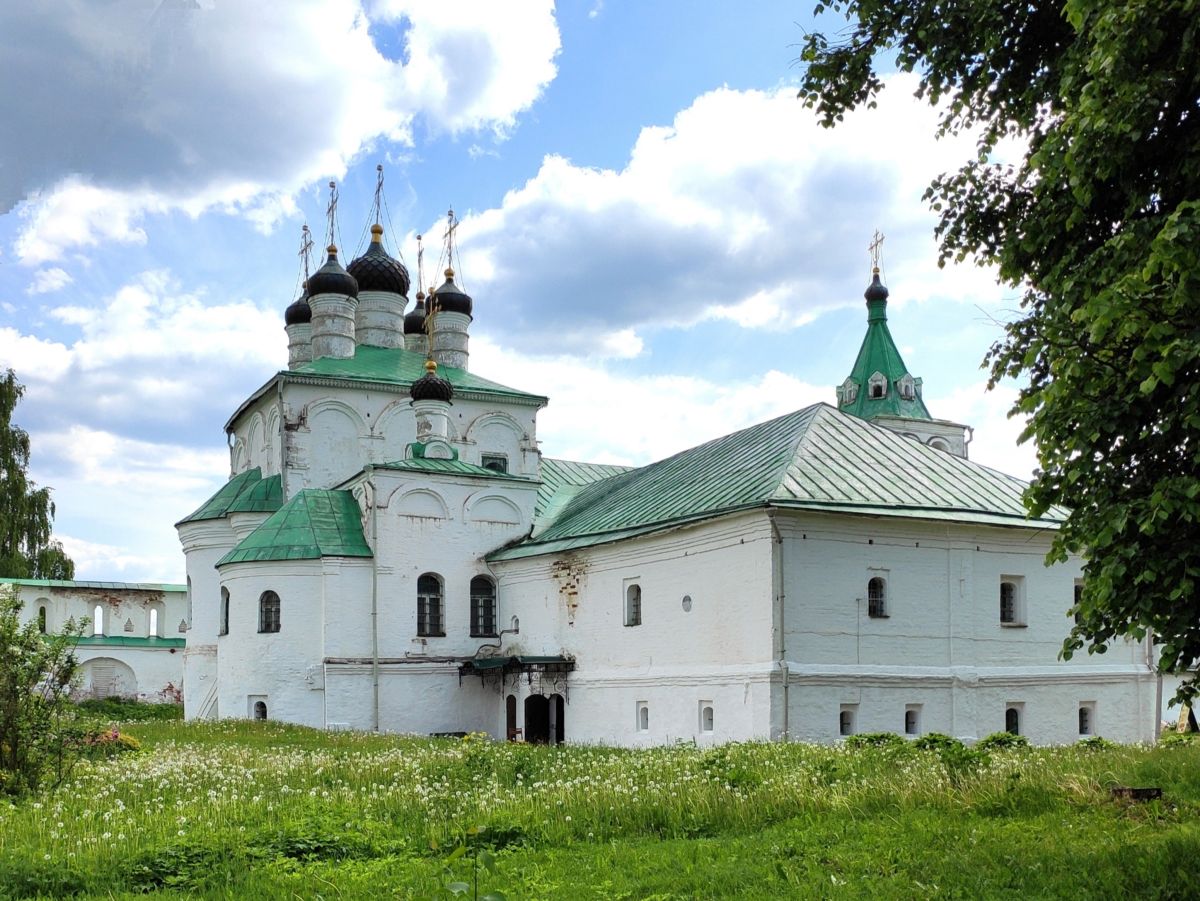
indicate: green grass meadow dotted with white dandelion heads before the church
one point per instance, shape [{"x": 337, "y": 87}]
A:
[{"x": 263, "y": 810}]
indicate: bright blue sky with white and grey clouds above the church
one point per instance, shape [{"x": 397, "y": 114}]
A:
[{"x": 657, "y": 233}]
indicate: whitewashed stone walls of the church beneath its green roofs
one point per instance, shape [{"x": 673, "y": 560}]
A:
[{"x": 761, "y": 622}]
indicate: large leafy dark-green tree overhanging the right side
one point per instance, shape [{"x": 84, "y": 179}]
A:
[{"x": 1099, "y": 226}]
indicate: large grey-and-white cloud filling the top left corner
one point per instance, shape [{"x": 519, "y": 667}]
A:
[{"x": 121, "y": 111}]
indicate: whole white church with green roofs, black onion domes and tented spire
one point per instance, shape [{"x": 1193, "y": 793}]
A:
[{"x": 393, "y": 552}]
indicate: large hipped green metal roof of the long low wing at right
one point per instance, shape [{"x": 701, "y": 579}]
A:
[{"x": 818, "y": 459}]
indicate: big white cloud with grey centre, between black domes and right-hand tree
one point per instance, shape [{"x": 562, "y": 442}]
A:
[{"x": 742, "y": 209}]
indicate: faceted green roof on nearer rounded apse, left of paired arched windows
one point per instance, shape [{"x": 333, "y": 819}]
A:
[{"x": 315, "y": 524}]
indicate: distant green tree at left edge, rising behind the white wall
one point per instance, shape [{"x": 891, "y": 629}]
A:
[{"x": 27, "y": 513}]
